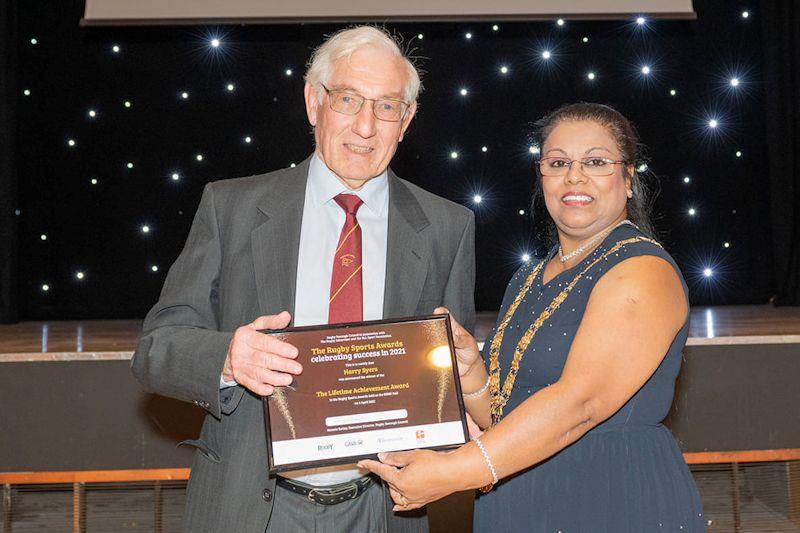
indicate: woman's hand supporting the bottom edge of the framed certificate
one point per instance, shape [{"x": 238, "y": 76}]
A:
[{"x": 415, "y": 478}]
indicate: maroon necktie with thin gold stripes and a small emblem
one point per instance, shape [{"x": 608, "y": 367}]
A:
[{"x": 345, "y": 304}]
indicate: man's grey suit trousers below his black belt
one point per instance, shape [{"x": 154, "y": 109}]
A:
[{"x": 369, "y": 513}]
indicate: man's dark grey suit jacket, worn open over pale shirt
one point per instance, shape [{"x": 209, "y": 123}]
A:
[{"x": 240, "y": 262}]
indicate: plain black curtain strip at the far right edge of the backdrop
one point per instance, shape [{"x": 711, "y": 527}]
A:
[{"x": 781, "y": 30}]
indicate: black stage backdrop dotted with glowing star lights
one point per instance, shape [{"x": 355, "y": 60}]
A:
[{"x": 119, "y": 129}]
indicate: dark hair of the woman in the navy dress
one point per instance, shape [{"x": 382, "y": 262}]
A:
[{"x": 639, "y": 206}]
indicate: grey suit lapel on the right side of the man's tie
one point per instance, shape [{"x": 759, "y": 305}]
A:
[{"x": 407, "y": 251}]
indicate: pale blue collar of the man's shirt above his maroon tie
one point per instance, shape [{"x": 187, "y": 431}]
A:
[{"x": 324, "y": 186}]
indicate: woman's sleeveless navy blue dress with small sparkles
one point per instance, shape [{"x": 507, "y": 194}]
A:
[{"x": 626, "y": 474}]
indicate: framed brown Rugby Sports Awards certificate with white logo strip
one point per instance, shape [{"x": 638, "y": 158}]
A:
[{"x": 366, "y": 387}]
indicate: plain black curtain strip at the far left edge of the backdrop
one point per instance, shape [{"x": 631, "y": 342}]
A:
[{"x": 8, "y": 174}]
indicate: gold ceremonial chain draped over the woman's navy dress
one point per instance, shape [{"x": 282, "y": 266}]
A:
[{"x": 500, "y": 398}]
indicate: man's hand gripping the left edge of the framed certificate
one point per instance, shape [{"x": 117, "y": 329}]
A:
[{"x": 260, "y": 362}]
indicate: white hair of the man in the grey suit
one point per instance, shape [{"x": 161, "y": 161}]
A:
[{"x": 344, "y": 43}]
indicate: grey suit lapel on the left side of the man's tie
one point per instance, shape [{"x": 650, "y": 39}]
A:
[{"x": 275, "y": 241}]
